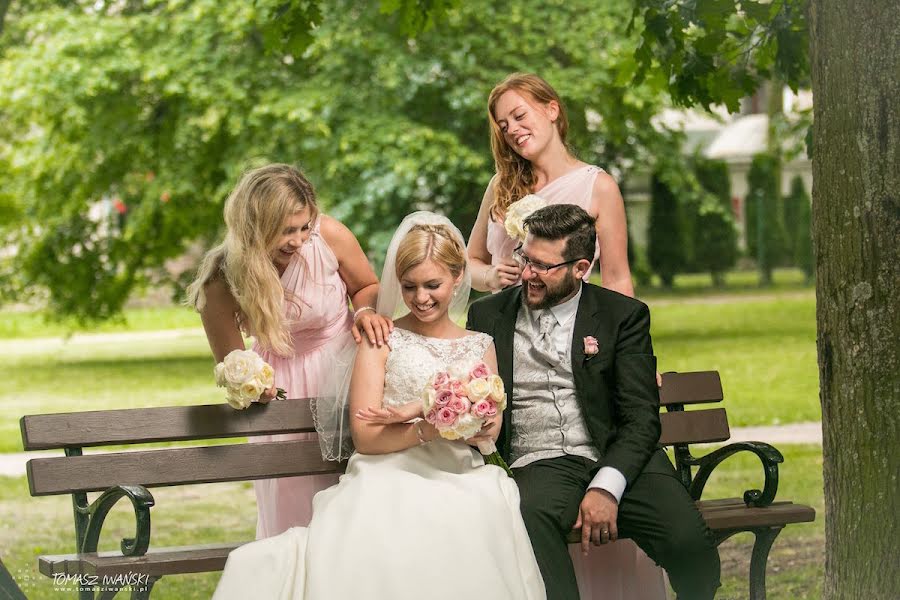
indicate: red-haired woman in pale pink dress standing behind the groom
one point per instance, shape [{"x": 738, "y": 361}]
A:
[{"x": 528, "y": 126}]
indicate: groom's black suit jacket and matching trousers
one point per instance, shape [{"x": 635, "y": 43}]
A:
[{"x": 616, "y": 389}]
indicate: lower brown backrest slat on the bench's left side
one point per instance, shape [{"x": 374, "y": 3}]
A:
[{"x": 156, "y": 468}]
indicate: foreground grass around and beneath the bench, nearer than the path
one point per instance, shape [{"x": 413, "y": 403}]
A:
[{"x": 225, "y": 513}]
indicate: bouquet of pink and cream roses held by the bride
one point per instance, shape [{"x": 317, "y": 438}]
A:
[{"x": 459, "y": 400}]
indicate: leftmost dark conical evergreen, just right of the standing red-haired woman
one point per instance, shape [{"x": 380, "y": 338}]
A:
[{"x": 666, "y": 240}]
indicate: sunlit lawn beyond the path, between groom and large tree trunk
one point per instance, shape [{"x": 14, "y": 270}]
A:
[{"x": 765, "y": 351}]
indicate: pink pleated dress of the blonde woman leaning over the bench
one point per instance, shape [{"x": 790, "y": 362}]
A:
[{"x": 318, "y": 315}]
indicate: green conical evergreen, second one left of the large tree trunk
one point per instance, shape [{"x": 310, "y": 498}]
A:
[{"x": 765, "y": 218}]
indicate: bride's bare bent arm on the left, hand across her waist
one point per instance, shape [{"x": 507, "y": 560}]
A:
[{"x": 367, "y": 397}]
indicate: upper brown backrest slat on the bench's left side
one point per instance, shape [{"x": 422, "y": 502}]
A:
[{"x": 139, "y": 425}]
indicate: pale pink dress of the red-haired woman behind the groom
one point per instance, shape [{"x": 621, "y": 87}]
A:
[{"x": 619, "y": 571}]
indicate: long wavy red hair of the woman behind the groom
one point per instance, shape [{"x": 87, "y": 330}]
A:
[{"x": 515, "y": 175}]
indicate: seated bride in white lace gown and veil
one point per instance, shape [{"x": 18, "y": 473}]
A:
[{"x": 414, "y": 516}]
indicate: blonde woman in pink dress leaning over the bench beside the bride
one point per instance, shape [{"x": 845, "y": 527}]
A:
[{"x": 284, "y": 274}]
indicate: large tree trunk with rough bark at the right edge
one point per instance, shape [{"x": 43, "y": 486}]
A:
[{"x": 856, "y": 226}]
